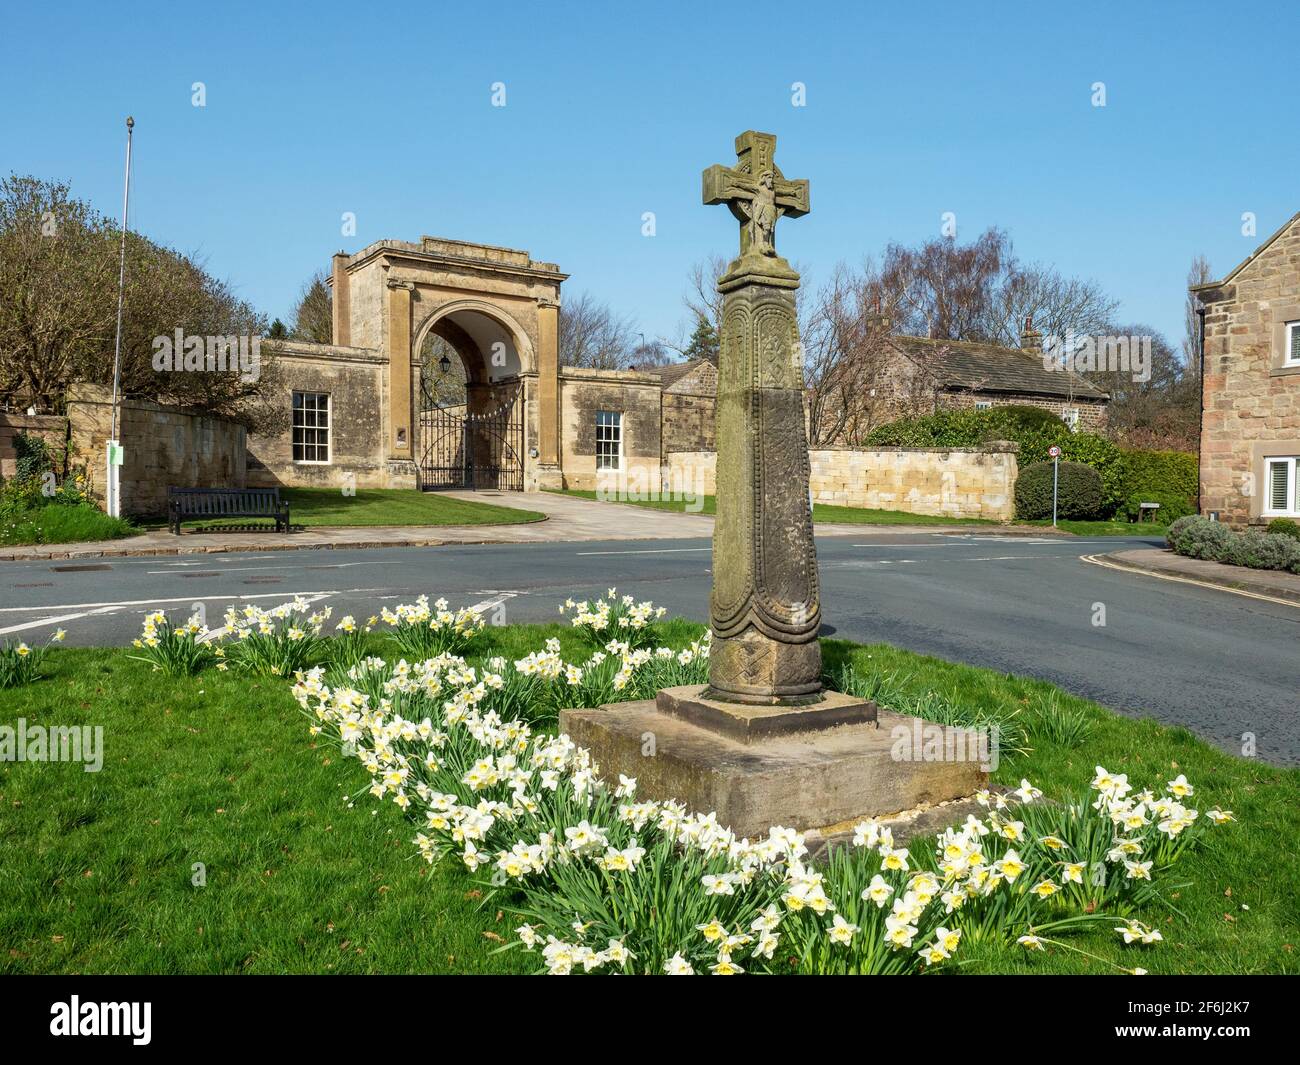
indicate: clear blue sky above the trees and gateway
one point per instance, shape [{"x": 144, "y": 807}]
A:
[{"x": 614, "y": 110}]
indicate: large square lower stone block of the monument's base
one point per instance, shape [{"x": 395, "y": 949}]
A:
[{"x": 805, "y": 781}]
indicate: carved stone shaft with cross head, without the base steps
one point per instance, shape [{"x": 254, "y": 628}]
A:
[{"x": 766, "y": 604}]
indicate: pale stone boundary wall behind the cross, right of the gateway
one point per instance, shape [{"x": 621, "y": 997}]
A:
[{"x": 941, "y": 482}]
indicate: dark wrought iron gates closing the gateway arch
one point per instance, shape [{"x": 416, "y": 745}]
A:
[{"x": 474, "y": 451}]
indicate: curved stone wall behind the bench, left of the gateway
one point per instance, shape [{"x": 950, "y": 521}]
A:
[{"x": 164, "y": 447}]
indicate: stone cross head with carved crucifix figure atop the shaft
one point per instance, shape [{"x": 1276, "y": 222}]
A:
[{"x": 756, "y": 192}]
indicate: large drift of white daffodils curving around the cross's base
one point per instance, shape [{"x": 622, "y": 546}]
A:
[{"x": 606, "y": 884}]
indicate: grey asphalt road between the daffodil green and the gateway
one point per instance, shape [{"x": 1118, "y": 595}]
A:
[{"x": 1223, "y": 665}]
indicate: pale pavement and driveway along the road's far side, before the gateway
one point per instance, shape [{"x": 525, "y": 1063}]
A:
[{"x": 569, "y": 519}]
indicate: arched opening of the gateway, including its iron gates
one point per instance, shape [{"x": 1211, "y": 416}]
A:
[{"x": 471, "y": 428}]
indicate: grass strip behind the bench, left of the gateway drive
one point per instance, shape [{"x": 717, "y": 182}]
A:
[{"x": 324, "y": 508}]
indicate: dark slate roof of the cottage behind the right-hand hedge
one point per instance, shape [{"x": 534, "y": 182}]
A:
[{"x": 967, "y": 366}]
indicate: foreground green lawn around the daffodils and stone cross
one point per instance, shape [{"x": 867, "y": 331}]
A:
[{"x": 220, "y": 770}]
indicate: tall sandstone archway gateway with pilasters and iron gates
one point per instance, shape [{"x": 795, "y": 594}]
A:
[{"x": 497, "y": 310}]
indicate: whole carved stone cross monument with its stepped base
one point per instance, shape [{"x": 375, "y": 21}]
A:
[{"x": 764, "y": 743}]
